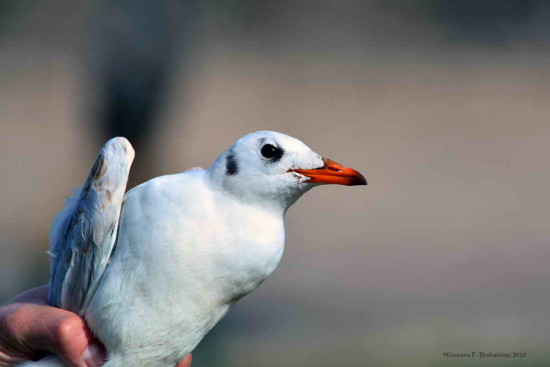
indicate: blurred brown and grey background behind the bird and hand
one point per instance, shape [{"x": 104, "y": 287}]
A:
[{"x": 442, "y": 104}]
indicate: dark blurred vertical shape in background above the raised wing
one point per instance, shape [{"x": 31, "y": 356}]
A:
[{"x": 139, "y": 43}]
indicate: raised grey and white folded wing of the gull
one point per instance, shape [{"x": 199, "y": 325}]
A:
[{"x": 83, "y": 234}]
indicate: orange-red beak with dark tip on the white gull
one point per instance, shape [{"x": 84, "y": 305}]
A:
[{"x": 333, "y": 173}]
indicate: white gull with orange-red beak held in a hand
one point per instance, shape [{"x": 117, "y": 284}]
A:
[{"x": 154, "y": 270}]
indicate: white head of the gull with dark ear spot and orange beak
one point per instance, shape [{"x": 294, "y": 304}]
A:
[{"x": 270, "y": 167}]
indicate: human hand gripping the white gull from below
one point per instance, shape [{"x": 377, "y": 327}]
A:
[{"x": 29, "y": 329}]
